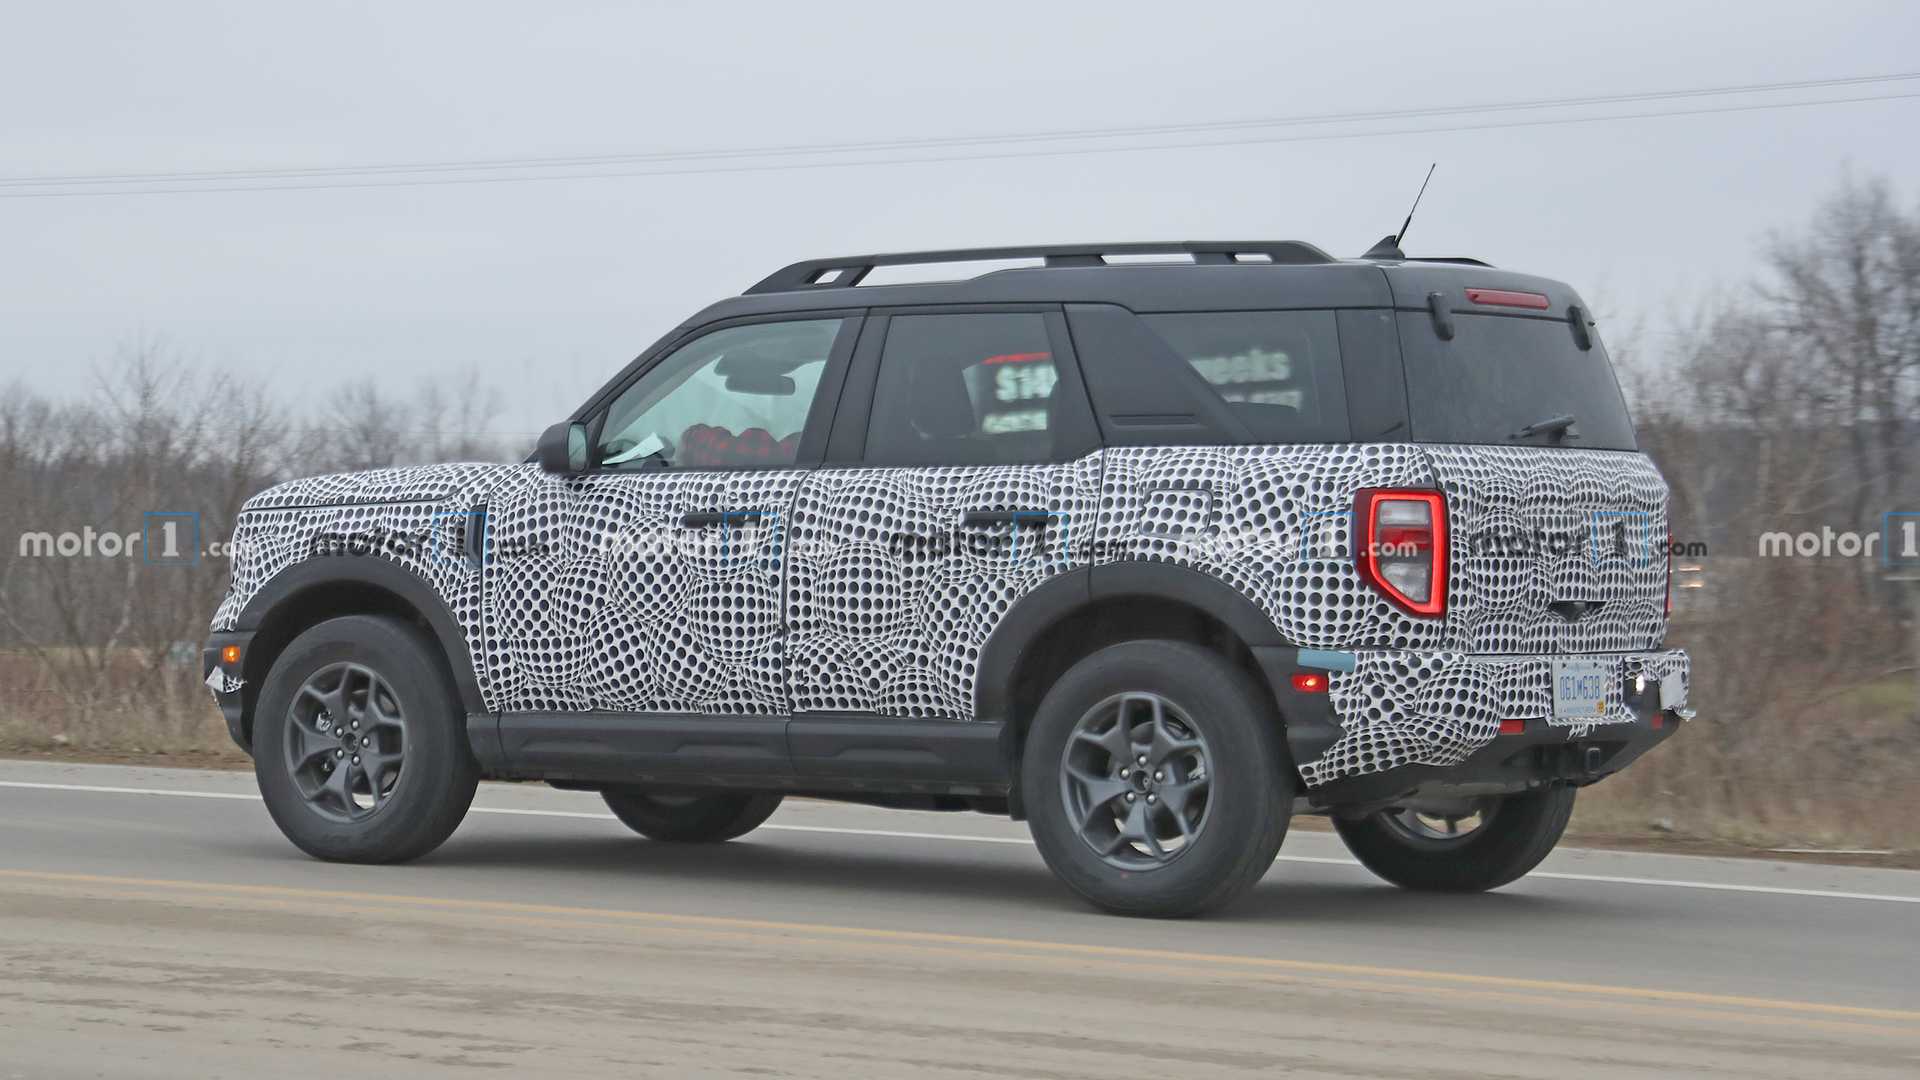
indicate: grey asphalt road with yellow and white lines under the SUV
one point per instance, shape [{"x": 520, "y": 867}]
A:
[{"x": 178, "y": 935}]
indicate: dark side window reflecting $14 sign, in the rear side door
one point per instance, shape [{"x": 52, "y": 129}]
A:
[{"x": 965, "y": 391}]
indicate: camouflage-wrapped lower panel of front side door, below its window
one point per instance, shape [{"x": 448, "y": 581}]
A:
[{"x": 598, "y": 597}]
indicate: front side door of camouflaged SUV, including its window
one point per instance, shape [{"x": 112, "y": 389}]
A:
[{"x": 654, "y": 583}]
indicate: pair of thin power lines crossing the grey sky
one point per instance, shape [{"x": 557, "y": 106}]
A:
[{"x": 926, "y": 159}]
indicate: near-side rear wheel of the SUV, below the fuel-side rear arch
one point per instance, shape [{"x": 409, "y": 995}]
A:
[{"x": 1157, "y": 781}]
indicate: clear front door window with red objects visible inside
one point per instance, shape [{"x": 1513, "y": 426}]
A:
[{"x": 731, "y": 399}]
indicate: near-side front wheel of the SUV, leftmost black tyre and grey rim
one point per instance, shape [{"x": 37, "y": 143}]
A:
[{"x": 360, "y": 745}]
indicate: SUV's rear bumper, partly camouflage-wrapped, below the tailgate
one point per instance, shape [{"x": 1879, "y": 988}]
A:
[{"x": 1403, "y": 722}]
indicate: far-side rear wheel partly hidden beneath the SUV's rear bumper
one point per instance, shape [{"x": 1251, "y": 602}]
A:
[{"x": 1468, "y": 847}]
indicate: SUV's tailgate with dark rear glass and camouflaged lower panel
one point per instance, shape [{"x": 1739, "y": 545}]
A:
[{"x": 1558, "y": 524}]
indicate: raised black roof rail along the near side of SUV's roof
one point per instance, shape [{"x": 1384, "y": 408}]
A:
[{"x": 848, "y": 272}]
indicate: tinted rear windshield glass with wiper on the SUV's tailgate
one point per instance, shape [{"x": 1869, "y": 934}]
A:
[{"x": 1502, "y": 374}]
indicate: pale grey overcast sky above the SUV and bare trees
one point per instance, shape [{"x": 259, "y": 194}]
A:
[{"x": 550, "y": 287}]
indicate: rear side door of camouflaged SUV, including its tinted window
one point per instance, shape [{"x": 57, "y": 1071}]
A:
[{"x": 963, "y": 474}]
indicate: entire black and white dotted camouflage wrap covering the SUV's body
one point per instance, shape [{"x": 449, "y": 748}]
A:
[{"x": 861, "y": 591}]
